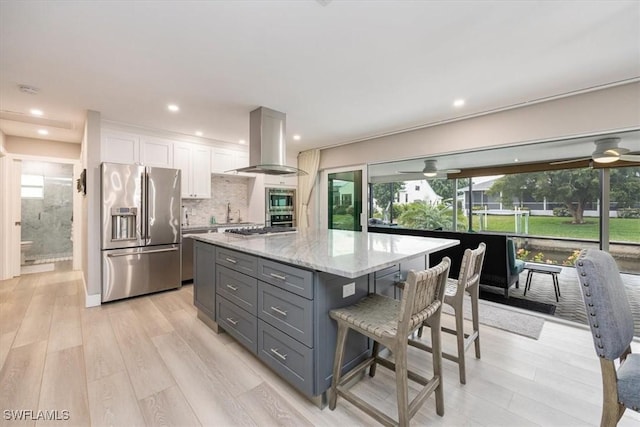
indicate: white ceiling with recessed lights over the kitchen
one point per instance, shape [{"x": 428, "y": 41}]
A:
[{"x": 343, "y": 72}]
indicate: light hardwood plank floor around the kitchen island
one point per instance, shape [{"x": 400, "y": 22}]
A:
[{"x": 150, "y": 361}]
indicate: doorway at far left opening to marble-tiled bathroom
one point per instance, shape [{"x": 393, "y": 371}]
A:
[{"x": 46, "y": 216}]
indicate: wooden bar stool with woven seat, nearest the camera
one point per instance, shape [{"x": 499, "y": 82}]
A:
[{"x": 389, "y": 322}]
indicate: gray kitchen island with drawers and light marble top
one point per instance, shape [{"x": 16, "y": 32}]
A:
[{"x": 273, "y": 293}]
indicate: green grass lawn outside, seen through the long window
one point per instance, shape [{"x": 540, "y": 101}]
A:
[{"x": 621, "y": 229}]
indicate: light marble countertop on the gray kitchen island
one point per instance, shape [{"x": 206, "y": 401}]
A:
[{"x": 345, "y": 253}]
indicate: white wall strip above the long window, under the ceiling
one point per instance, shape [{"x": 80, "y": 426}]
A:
[{"x": 591, "y": 113}]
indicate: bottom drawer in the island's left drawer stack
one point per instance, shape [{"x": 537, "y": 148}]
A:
[{"x": 238, "y": 323}]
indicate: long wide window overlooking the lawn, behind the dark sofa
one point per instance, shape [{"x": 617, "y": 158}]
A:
[{"x": 553, "y": 214}]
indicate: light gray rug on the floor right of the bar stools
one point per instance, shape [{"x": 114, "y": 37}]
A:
[{"x": 491, "y": 314}]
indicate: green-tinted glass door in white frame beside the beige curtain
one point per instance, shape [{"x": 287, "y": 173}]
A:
[{"x": 345, "y": 199}]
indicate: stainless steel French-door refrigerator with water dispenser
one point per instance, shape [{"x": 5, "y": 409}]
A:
[{"x": 140, "y": 230}]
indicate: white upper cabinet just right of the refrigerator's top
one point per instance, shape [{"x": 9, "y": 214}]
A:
[{"x": 195, "y": 163}]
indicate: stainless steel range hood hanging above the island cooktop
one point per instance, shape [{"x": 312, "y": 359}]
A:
[{"x": 267, "y": 146}]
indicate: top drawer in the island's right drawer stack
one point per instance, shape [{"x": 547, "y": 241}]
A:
[{"x": 292, "y": 279}]
